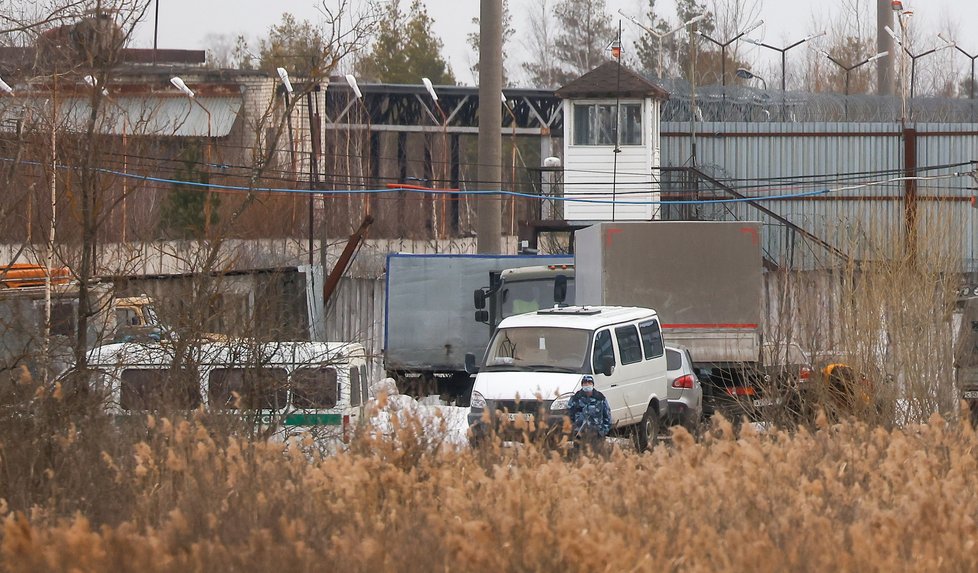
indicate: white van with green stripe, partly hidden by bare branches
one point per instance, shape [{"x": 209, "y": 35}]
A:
[{"x": 286, "y": 386}]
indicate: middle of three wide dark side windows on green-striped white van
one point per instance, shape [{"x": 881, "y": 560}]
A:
[{"x": 258, "y": 388}]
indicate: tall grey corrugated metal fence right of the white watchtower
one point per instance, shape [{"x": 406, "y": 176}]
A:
[{"x": 854, "y": 174}]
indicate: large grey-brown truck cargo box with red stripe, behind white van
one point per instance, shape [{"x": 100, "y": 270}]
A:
[{"x": 703, "y": 278}]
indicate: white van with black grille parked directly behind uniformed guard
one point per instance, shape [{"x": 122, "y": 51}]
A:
[{"x": 535, "y": 362}]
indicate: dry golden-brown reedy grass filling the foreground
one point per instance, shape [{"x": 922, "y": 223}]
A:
[{"x": 175, "y": 495}]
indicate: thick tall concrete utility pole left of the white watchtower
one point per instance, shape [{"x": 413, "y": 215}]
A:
[{"x": 489, "y": 208}]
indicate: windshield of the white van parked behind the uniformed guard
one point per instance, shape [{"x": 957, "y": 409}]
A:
[{"x": 538, "y": 349}]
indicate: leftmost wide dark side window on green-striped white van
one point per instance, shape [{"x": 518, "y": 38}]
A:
[{"x": 155, "y": 388}]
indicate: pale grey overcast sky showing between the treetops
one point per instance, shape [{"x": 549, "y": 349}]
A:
[{"x": 186, "y": 23}]
